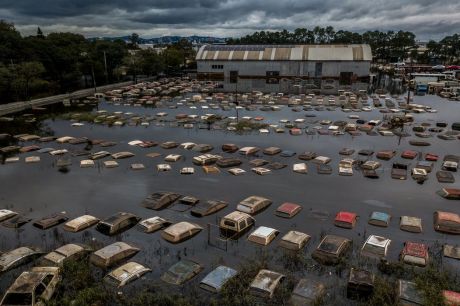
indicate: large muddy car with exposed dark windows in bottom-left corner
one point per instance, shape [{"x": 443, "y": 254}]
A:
[{"x": 33, "y": 287}]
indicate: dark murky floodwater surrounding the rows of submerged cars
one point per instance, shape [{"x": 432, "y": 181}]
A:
[{"x": 39, "y": 189}]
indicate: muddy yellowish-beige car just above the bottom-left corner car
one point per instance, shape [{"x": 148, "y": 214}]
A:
[{"x": 71, "y": 251}]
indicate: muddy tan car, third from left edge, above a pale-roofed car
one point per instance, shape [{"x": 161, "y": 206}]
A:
[{"x": 112, "y": 254}]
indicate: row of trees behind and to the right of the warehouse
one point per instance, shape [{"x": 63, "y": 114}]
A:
[{"x": 390, "y": 46}]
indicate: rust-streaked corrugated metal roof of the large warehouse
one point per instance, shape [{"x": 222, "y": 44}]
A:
[{"x": 285, "y": 53}]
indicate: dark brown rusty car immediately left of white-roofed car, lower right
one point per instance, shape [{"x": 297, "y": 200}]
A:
[{"x": 331, "y": 249}]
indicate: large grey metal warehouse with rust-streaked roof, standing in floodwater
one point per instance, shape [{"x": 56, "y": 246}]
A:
[{"x": 287, "y": 69}]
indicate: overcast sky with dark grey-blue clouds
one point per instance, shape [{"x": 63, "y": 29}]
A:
[{"x": 152, "y": 18}]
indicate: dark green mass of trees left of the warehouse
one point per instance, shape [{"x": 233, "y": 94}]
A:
[{"x": 42, "y": 65}]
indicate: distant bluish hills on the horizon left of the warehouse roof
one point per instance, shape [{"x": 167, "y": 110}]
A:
[{"x": 166, "y": 40}]
